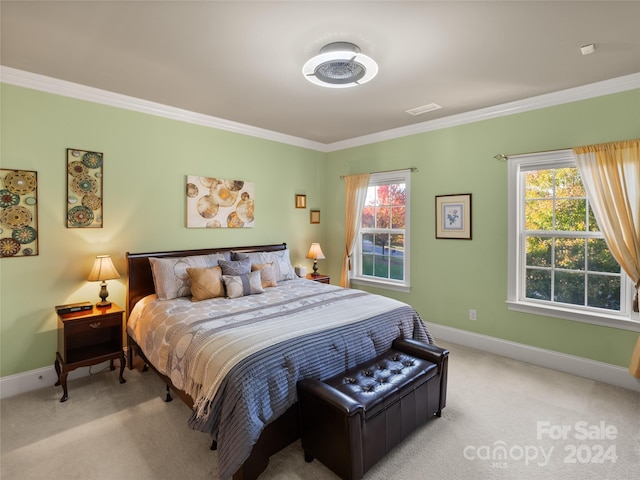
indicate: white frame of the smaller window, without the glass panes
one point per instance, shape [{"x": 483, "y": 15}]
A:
[{"x": 356, "y": 276}]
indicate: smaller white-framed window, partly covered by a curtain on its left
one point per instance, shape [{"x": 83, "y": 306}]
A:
[{"x": 382, "y": 250}]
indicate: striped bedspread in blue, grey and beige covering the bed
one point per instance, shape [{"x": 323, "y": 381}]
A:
[{"x": 240, "y": 359}]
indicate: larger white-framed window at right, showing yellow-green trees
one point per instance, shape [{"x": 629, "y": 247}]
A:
[{"x": 559, "y": 262}]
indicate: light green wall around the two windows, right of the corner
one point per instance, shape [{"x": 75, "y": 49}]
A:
[{"x": 449, "y": 277}]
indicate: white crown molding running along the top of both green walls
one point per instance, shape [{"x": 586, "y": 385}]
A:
[{"x": 43, "y": 83}]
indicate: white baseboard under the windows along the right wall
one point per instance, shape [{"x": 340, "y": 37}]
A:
[{"x": 582, "y": 367}]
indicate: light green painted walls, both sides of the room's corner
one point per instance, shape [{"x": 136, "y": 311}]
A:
[{"x": 148, "y": 157}]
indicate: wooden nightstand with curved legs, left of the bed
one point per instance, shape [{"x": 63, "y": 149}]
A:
[{"x": 88, "y": 338}]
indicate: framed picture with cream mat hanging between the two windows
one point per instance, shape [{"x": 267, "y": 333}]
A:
[{"x": 453, "y": 216}]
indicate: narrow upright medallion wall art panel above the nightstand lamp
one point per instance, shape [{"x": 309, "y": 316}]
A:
[{"x": 84, "y": 189}]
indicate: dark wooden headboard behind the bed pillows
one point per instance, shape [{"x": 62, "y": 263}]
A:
[{"x": 140, "y": 279}]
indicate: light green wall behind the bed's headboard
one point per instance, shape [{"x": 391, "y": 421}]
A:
[{"x": 146, "y": 160}]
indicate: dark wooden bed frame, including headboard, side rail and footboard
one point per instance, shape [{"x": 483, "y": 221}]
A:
[{"x": 277, "y": 435}]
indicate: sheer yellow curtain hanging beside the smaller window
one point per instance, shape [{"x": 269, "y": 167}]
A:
[{"x": 356, "y": 193}]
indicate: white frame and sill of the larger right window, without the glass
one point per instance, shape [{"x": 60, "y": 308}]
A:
[{"x": 516, "y": 299}]
